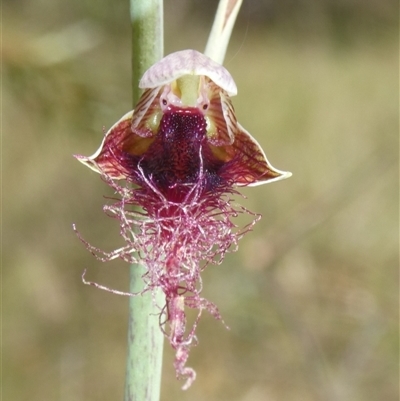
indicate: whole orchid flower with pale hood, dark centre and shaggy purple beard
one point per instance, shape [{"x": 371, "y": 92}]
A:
[{"x": 178, "y": 157}]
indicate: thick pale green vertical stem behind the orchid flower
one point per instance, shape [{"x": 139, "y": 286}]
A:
[{"x": 145, "y": 339}]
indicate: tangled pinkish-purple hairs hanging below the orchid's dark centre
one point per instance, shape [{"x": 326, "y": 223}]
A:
[{"x": 175, "y": 241}]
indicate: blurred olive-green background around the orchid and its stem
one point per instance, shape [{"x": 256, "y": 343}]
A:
[{"x": 311, "y": 298}]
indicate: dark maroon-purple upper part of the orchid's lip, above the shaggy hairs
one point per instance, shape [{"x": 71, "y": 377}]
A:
[{"x": 180, "y": 155}]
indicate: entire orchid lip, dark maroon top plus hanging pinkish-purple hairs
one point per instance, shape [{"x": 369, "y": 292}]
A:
[{"x": 184, "y": 221}]
